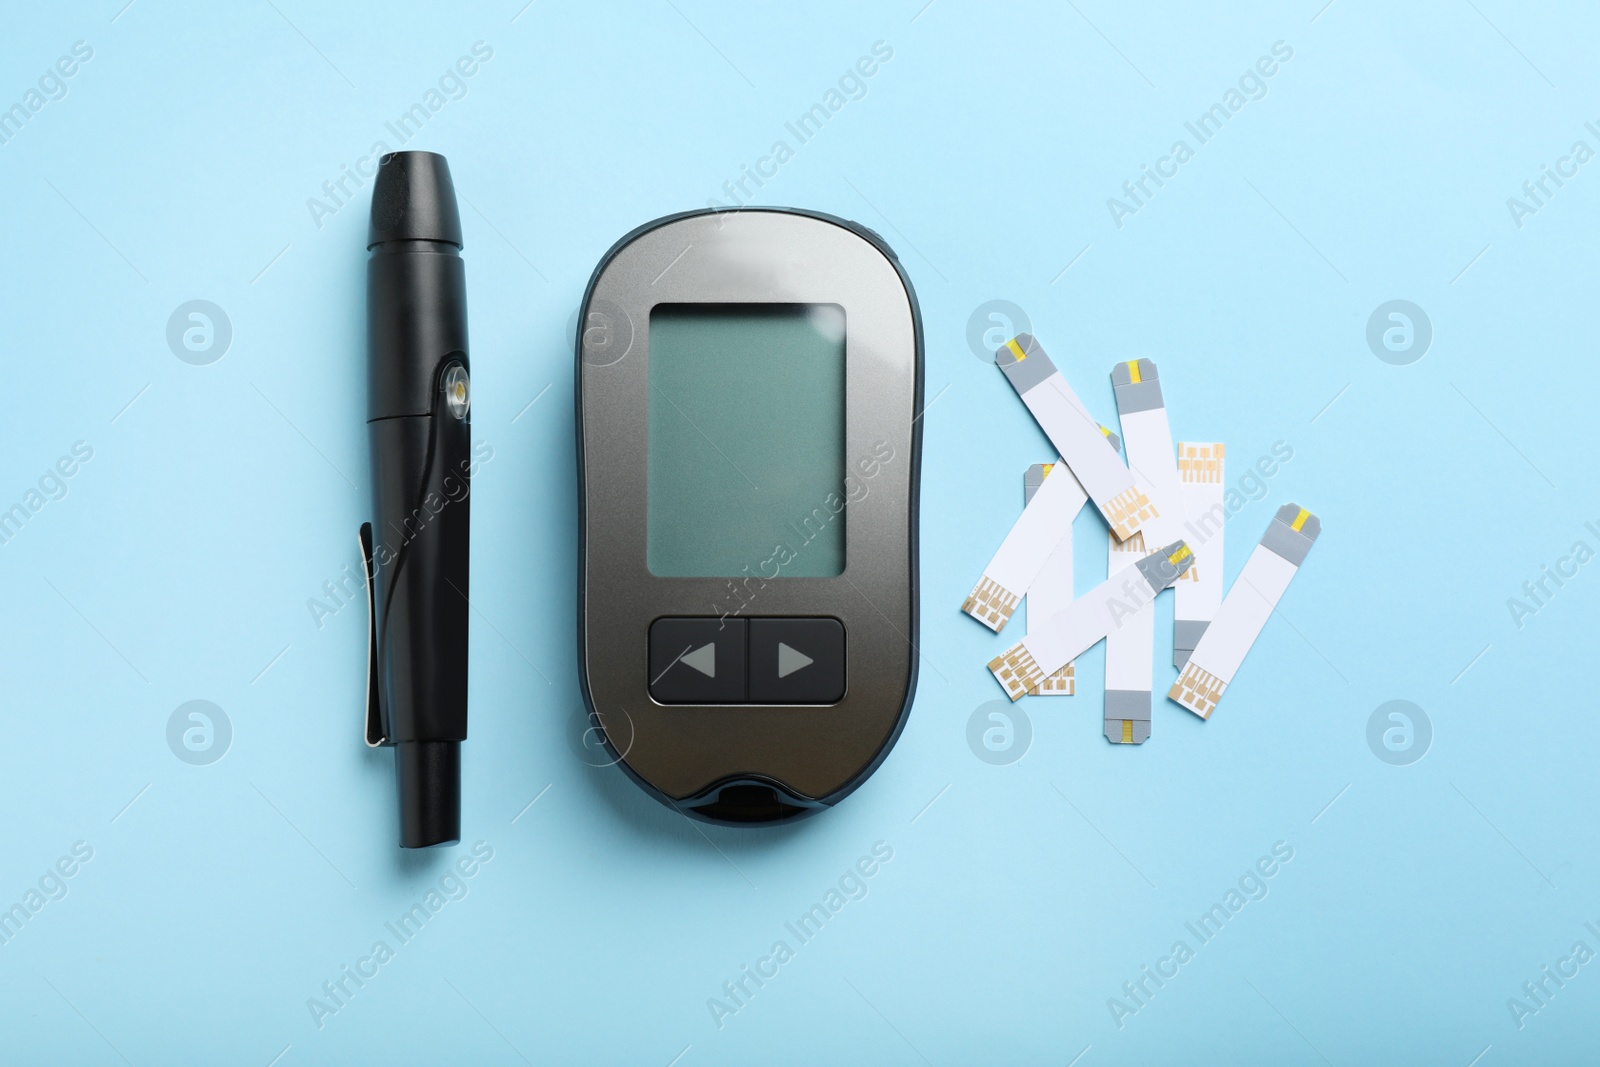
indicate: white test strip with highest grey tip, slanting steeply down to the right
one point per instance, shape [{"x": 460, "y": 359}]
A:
[{"x": 1076, "y": 436}]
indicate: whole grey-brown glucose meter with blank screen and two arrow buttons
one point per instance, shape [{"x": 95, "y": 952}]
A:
[{"x": 750, "y": 396}]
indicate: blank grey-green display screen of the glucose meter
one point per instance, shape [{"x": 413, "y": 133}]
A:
[{"x": 746, "y": 441}]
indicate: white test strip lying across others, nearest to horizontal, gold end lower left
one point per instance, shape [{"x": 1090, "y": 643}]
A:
[{"x": 1052, "y": 644}]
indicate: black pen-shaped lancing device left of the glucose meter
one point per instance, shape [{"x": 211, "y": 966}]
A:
[{"x": 418, "y": 406}]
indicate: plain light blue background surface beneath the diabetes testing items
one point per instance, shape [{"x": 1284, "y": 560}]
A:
[{"x": 1020, "y": 898}]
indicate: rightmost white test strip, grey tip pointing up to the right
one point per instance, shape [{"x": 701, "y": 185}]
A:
[{"x": 1246, "y": 610}]
